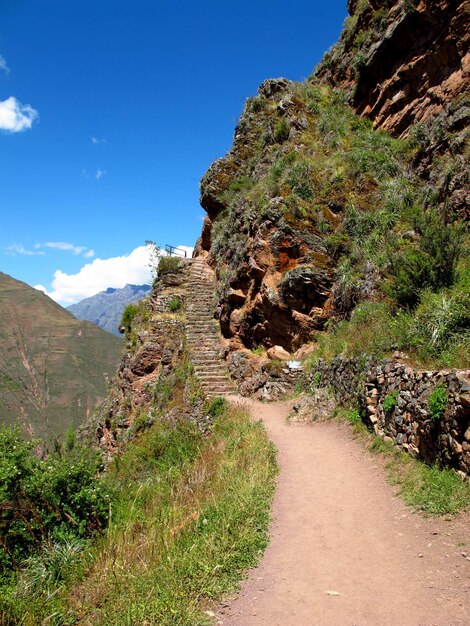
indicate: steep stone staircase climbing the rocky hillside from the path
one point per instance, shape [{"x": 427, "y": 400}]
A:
[{"x": 202, "y": 333}]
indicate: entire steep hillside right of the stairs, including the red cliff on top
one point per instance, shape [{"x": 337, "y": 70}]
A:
[{"x": 314, "y": 210}]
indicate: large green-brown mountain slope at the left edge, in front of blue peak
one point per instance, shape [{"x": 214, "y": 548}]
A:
[{"x": 53, "y": 367}]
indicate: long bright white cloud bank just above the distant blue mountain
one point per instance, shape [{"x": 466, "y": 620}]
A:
[{"x": 100, "y": 274}]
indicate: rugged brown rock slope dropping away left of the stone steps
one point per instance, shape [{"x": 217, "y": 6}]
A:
[{"x": 155, "y": 347}]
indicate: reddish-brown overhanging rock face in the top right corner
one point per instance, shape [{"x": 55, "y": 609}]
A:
[{"x": 402, "y": 62}]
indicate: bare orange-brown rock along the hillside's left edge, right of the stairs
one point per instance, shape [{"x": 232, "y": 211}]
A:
[{"x": 273, "y": 270}]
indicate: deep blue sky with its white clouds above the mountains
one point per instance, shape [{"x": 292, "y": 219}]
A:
[{"x": 112, "y": 111}]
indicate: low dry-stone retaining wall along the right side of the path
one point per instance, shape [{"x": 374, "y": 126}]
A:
[{"x": 406, "y": 418}]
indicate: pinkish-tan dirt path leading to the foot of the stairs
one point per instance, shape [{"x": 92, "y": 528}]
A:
[{"x": 344, "y": 550}]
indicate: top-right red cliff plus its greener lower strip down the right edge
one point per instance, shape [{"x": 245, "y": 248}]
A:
[{"x": 406, "y": 66}]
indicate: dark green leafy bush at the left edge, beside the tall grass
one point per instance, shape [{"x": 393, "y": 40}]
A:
[{"x": 46, "y": 500}]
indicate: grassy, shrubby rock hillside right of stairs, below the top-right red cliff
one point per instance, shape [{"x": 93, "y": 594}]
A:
[{"x": 313, "y": 212}]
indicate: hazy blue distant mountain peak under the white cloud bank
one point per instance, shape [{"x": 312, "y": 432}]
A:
[{"x": 106, "y": 308}]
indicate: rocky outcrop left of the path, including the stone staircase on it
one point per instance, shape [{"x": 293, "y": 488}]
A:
[{"x": 173, "y": 361}]
